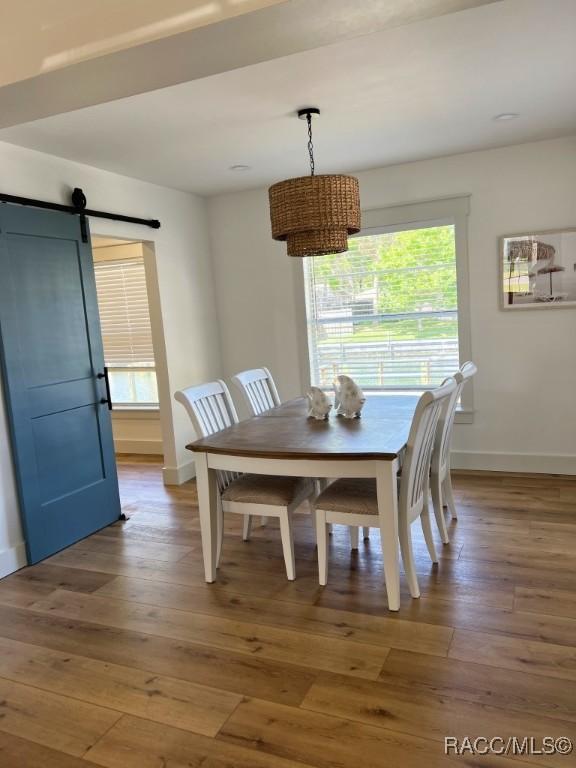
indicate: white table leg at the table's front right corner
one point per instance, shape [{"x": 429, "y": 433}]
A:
[{"x": 388, "y": 513}]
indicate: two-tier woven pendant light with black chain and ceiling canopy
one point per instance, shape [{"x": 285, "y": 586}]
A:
[{"x": 314, "y": 214}]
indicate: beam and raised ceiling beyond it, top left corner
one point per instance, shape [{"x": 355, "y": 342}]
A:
[{"x": 94, "y": 72}]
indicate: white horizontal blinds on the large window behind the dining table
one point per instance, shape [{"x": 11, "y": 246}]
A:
[{"x": 385, "y": 312}]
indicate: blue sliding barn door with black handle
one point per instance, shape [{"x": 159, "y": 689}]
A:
[{"x": 51, "y": 357}]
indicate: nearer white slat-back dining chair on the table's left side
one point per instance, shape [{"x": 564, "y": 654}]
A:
[{"x": 211, "y": 410}]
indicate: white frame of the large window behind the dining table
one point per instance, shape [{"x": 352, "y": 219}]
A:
[{"x": 417, "y": 215}]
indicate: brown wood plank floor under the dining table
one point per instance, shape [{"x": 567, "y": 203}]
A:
[{"x": 115, "y": 652}]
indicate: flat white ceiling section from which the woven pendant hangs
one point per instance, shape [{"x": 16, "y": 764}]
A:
[{"x": 422, "y": 90}]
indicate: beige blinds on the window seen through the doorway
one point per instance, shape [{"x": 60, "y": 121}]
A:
[{"x": 124, "y": 313}]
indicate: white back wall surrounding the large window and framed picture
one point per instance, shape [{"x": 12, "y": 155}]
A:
[{"x": 525, "y": 398}]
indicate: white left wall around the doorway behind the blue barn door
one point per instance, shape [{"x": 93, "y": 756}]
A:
[{"x": 185, "y": 287}]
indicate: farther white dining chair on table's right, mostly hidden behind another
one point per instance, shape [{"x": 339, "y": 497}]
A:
[{"x": 440, "y": 478}]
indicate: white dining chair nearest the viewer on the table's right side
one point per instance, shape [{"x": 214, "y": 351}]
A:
[{"x": 354, "y": 502}]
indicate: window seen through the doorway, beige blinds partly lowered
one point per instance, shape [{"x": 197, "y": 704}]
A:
[{"x": 126, "y": 332}]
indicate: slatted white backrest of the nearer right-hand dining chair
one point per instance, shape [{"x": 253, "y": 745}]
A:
[{"x": 416, "y": 466}]
